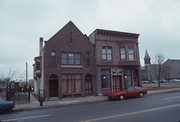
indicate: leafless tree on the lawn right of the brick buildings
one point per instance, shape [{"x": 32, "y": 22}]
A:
[{"x": 160, "y": 70}]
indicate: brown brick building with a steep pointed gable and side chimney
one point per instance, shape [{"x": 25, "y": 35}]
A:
[{"x": 65, "y": 66}]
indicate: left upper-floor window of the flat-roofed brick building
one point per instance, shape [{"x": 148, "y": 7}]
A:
[{"x": 107, "y": 53}]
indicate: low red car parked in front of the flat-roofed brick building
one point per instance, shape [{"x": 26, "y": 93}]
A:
[{"x": 129, "y": 93}]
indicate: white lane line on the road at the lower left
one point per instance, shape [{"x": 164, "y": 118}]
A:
[{"x": 23, "y": 118}]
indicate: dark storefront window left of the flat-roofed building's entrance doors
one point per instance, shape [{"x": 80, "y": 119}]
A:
[{"x": 105, "y": 78}]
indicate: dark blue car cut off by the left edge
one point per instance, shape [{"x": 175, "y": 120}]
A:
[{"x": 6, "y": 105}]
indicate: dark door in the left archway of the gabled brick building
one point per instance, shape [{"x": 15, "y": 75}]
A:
[{"x": 53, "y": 88}]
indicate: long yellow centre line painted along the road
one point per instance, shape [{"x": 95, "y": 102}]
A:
[{"x": 131, "y": 113}]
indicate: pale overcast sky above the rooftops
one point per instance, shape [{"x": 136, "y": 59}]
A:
[{"x": 22, "y": 22}]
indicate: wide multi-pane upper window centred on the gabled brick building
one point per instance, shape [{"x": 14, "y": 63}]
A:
[{"x": 70, "y": 58}]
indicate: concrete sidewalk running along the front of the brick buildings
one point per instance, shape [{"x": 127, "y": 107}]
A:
[{"x": 34, "y": 104}]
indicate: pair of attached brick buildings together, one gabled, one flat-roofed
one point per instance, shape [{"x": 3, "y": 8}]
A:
[{"x": 70, "y": 63}]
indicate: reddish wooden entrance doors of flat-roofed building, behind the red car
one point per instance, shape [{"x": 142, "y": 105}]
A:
[{"x": 117, "y": 83}]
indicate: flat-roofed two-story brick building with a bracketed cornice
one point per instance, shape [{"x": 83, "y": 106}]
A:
[{"x": 117, "y": 60}]
